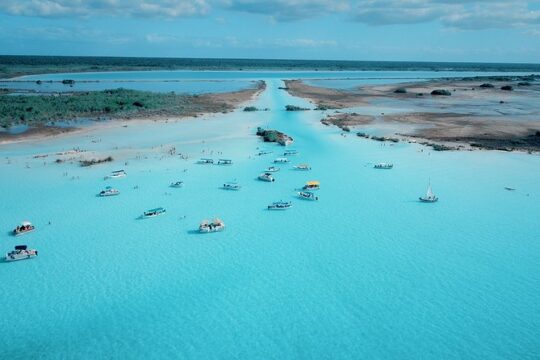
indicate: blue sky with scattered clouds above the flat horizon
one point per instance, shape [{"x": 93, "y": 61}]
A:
[{"x": 393, "y": 30}]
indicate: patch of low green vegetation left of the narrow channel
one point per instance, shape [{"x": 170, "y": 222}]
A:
[{"x": 39, "y": 109}]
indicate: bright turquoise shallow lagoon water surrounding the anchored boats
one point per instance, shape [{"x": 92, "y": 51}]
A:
[{"x": 366, "y": 272}]
